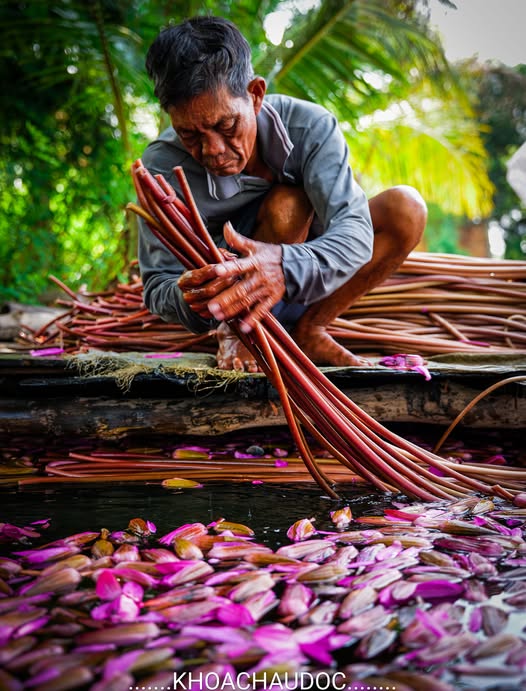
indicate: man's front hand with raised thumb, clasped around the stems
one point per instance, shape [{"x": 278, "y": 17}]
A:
[{"x": 255, "y": 281}]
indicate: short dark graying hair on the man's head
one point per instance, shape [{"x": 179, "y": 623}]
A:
[{"x": 201, "y": 54}]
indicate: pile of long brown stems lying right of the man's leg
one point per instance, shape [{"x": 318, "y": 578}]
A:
[{"x": 442, "y": 303}]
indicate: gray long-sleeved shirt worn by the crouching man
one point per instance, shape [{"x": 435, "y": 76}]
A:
[{"x": 302, "y": 144}]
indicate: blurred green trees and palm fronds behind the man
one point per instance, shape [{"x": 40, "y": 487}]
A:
[{"x": 77, "y": 109}]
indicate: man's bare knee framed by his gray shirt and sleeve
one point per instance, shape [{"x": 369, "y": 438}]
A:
[{"x": 284, "y": 216}]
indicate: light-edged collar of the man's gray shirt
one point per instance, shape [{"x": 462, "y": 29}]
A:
[{"x": 275, "y": 144}]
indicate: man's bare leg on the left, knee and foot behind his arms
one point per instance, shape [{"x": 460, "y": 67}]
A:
[{"x": 284, "y": 216}]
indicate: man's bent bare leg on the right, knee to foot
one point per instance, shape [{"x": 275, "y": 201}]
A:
[{"x": 399, "y": 216}]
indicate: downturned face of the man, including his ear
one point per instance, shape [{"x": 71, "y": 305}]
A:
[{"x": 220, "y": 130}]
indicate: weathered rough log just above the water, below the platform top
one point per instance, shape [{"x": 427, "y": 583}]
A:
[{"x": 115, "y": 417}]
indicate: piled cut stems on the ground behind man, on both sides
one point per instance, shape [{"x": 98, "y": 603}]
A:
[{"x": 435, "y": 304}]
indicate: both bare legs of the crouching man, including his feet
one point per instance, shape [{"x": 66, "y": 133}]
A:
[{"x": 399, "y": 216}]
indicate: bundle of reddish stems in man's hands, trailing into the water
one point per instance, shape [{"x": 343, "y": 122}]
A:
[{"x": 310, "y": 401}]
